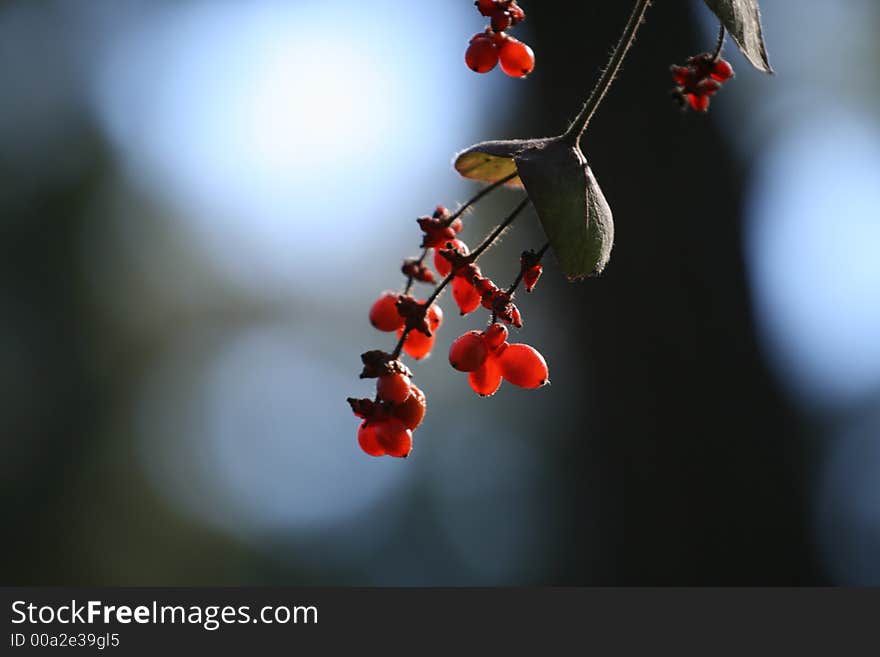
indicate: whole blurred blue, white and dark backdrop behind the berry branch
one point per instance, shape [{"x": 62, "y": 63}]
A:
[{"x": 199, "y": 201}]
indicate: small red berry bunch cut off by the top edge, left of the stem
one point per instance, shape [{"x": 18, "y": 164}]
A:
[{"x": 494, "y": 45}]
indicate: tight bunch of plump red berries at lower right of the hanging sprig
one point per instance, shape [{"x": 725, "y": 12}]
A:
[{"x": 487, "y": 357}]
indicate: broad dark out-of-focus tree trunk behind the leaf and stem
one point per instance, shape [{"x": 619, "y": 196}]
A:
[{"x": 693, "y": 441}]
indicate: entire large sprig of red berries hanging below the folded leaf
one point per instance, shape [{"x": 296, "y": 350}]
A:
[{"x": 399, "y": 406}]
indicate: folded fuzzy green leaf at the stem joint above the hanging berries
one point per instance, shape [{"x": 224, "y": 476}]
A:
[{"x": 569, "y": 203}]
